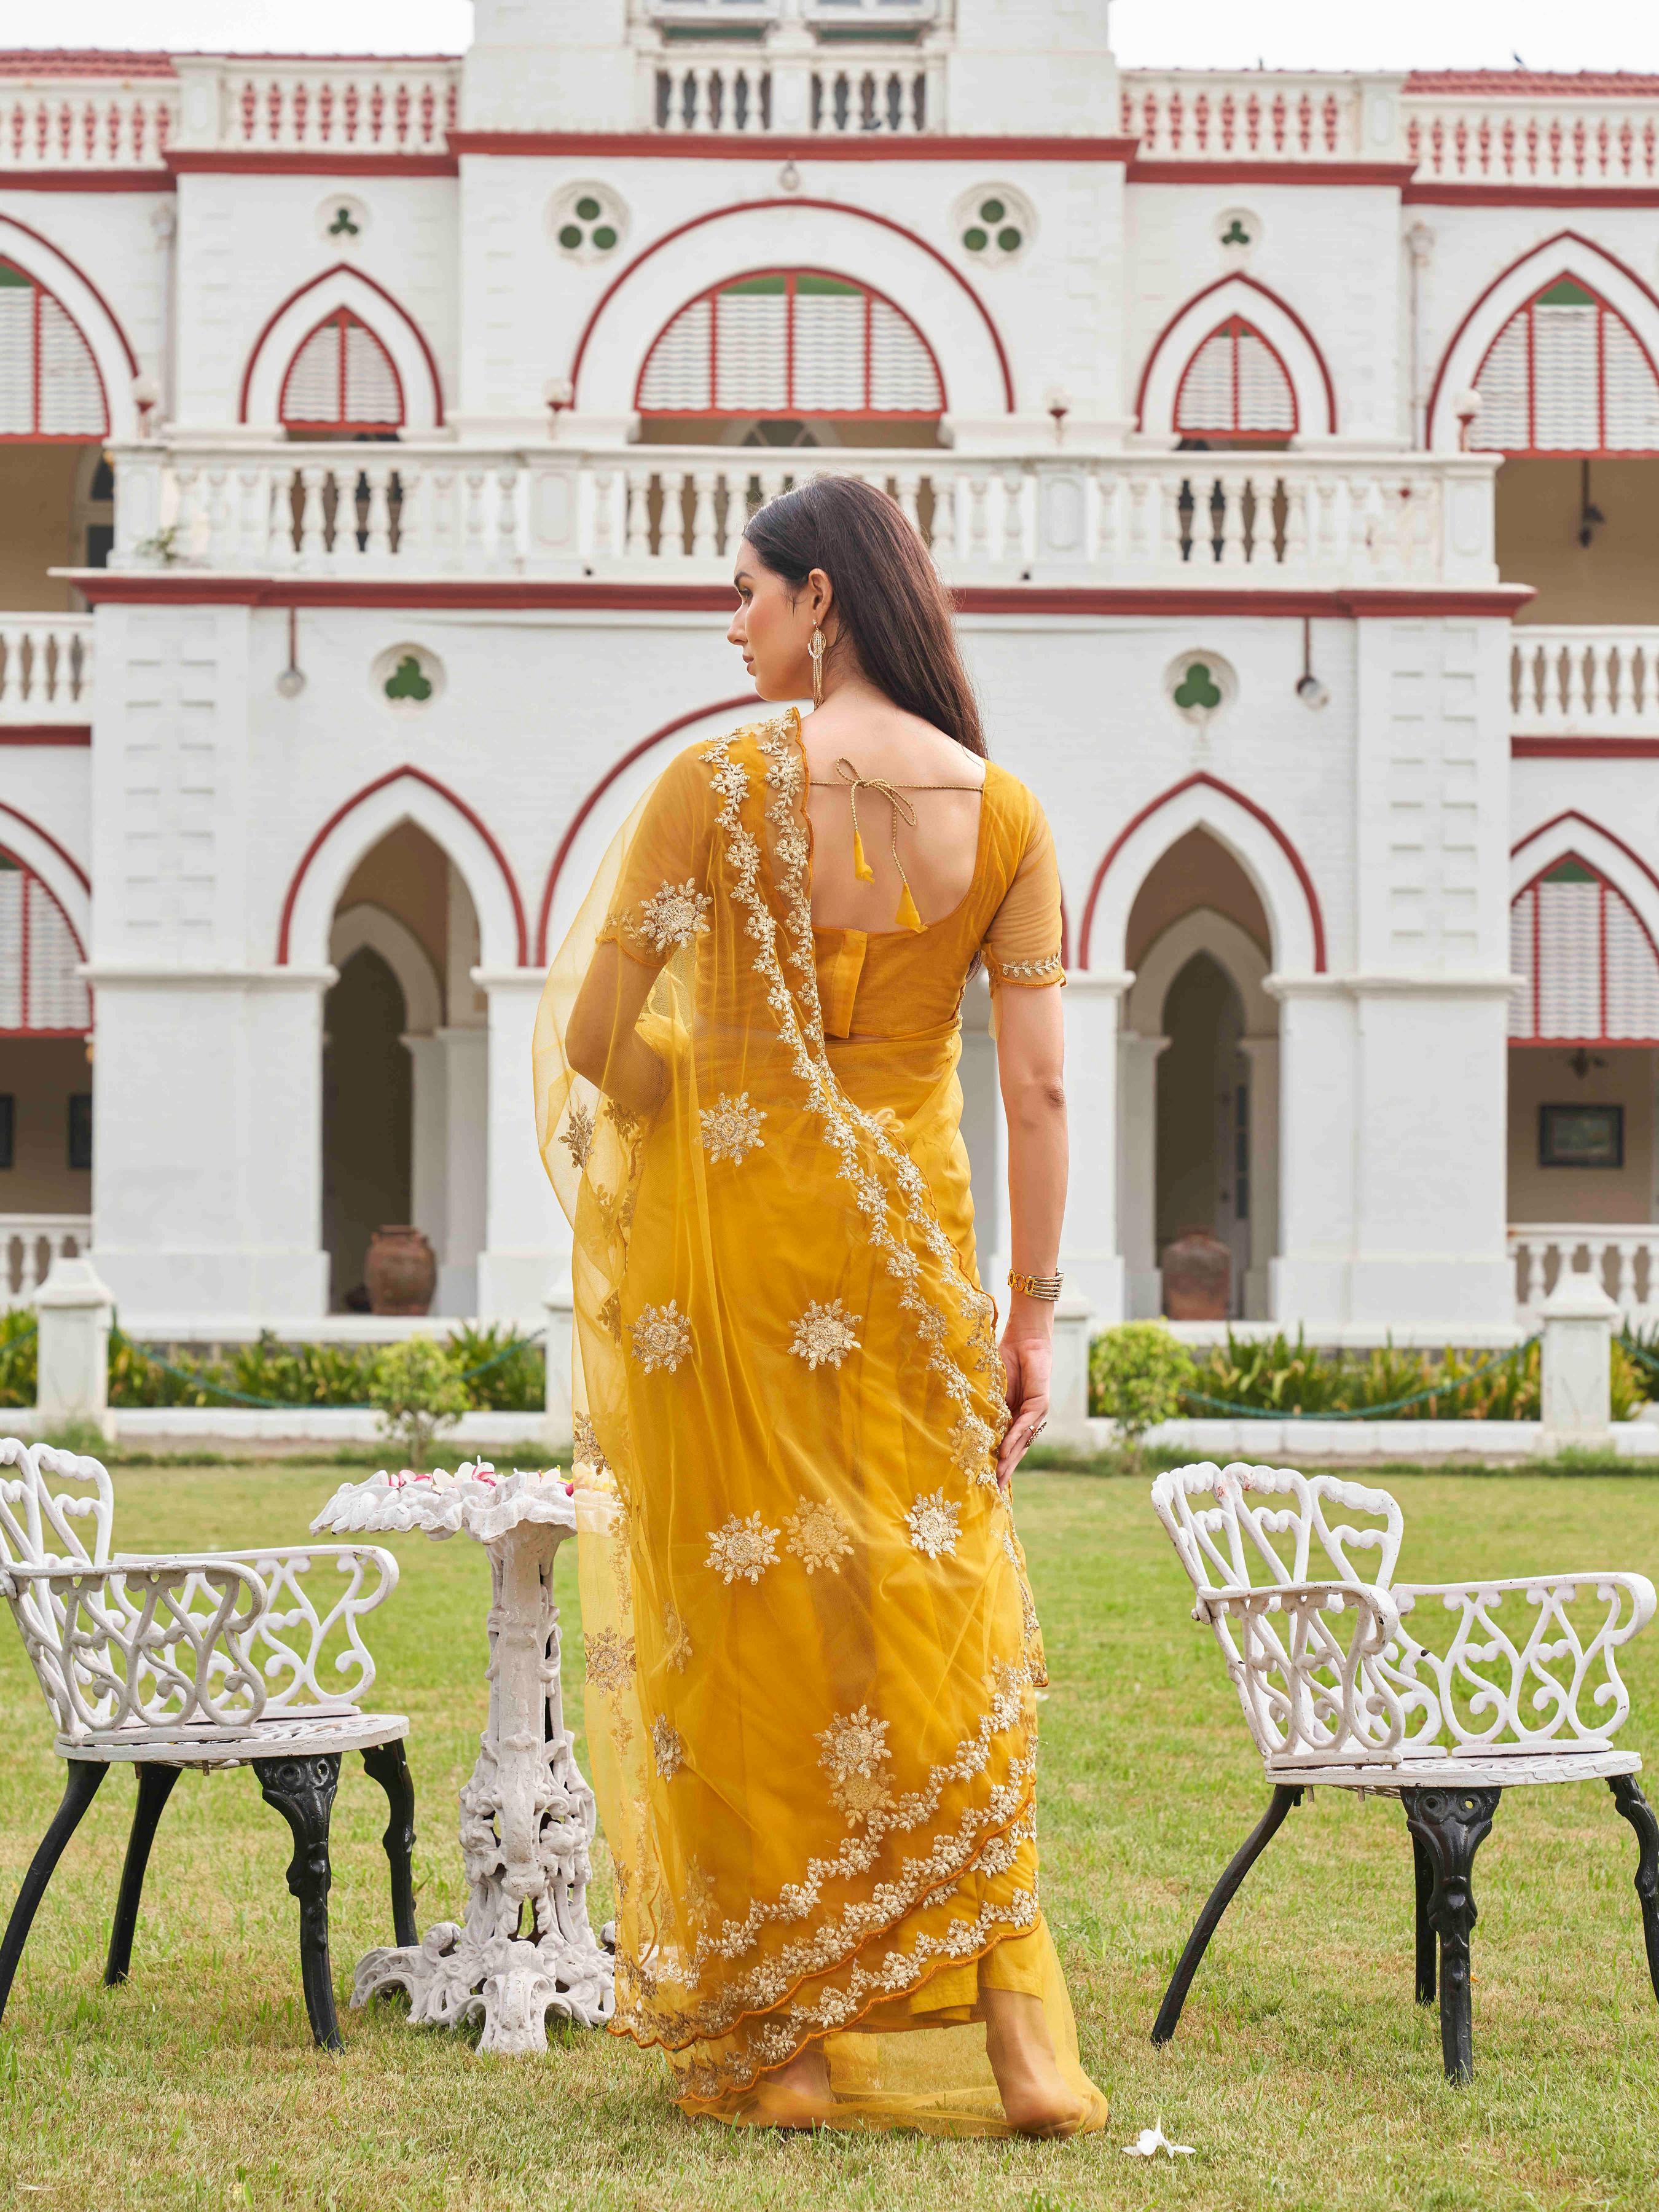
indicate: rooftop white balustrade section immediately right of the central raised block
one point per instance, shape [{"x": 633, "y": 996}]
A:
[{"x": 1242, "y": 116}]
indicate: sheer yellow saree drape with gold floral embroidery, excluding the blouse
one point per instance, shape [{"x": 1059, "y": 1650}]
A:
[{"x": 811, "y": 1642}]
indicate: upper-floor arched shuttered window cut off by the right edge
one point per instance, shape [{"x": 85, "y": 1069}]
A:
[{"x": 1567, "y": 375}]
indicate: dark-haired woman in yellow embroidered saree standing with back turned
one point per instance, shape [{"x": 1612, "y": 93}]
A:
[{"x": 813, "y": 1653}]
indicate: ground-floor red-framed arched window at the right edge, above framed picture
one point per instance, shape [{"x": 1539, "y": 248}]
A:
[{"x": 1592, "y": 974}]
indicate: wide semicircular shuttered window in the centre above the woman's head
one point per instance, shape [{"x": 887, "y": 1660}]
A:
[{"x": 791, "y": 344}]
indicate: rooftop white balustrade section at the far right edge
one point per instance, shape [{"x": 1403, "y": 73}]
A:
[{"x": 1563, "y": 143}]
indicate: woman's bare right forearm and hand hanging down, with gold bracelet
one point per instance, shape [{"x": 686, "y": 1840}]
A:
[{"x": 1032, "y": 1054}]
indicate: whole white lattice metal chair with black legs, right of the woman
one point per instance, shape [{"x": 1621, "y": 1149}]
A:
[{"x": 1412, "y": 1691}]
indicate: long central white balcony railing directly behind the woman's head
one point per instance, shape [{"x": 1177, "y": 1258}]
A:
[{"x": 444, "y": 510}]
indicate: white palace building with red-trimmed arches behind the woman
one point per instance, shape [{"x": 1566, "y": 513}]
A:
[{"x": 375, "y": 437}]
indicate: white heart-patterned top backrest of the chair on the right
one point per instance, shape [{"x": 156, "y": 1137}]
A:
[{"x": 1244, "y": 1541}]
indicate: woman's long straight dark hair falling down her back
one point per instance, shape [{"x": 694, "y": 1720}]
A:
[{"x": 890, "y": 603}]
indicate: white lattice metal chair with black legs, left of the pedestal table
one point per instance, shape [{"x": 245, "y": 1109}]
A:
[{"x": 196, "y": 1660}]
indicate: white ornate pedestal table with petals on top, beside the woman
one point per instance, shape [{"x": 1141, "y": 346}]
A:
[{"x": 528, "y": 1815}]
